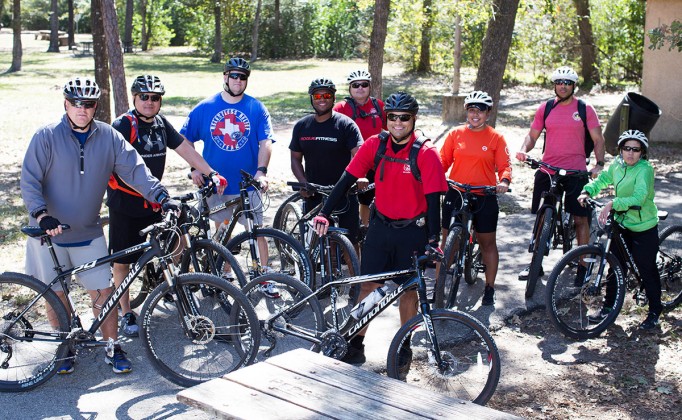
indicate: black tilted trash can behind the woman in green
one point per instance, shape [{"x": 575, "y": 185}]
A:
[{"x": 642, "y": 116}]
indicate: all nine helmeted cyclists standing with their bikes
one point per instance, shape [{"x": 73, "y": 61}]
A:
[{"x": 69, "y": 165}]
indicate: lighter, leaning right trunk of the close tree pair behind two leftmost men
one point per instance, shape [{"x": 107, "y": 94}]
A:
[{"x": 116, "y": 68}]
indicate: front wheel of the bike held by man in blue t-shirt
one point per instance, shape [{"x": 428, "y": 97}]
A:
[{"x": 285, "y": 255}]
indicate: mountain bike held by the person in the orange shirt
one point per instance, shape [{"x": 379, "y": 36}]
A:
[{"x": 462, "y": 257}]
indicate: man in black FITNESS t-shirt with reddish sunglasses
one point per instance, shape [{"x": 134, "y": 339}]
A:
[{"x": 327, "y": 141}]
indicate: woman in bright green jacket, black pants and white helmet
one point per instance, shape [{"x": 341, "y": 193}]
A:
[{"x": 632, "y": 176}]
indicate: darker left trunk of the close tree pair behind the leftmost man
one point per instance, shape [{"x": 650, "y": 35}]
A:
[{"x": 99, "y": 50}]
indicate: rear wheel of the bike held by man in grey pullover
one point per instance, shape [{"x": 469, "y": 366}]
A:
[{"x": 29, "y": 363}]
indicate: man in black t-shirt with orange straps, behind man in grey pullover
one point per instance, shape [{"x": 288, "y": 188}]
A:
[{"x": 151, "y": 135}]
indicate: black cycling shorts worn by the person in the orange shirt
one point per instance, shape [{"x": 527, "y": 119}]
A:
[{"x": 484, "y": 214}]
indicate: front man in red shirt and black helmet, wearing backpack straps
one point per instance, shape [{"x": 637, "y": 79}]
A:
[{"x": 407, "y": 216}]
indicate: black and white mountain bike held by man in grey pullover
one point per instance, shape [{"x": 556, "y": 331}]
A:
[{"x": 195, "y": 326}]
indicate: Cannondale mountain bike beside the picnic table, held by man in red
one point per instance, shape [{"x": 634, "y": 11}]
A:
[{"x": 443, "y": 350}]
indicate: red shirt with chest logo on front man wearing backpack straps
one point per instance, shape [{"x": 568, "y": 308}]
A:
[{"x": 398, "y": 193}]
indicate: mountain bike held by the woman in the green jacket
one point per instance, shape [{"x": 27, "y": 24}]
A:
[{"x": 577, "y": 285}]
